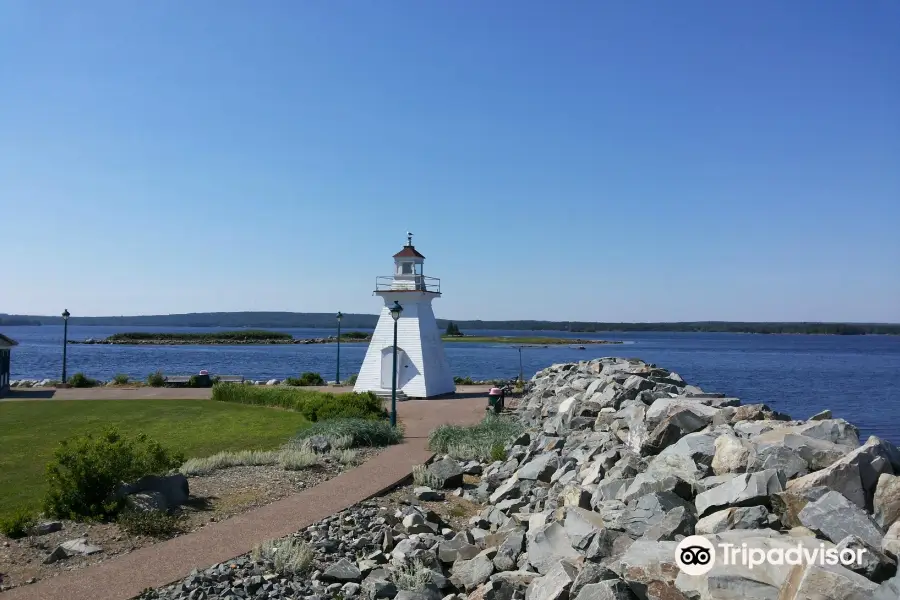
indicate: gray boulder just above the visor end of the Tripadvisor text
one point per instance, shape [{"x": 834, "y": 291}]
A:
[{"x": 835, "y": 517}]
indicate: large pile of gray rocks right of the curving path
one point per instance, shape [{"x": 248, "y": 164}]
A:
[{"x": 621, "y": 461}]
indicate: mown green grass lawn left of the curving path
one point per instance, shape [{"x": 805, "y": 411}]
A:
[{"x": 30, "y": 431}]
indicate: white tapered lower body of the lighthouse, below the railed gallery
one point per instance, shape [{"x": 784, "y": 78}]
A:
[{"x": 422, "y": 368}]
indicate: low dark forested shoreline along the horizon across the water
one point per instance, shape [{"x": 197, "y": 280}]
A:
[{"x": 263, "y": 320}]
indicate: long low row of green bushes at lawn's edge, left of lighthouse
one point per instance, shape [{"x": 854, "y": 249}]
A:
[{"x": 315, "y": 405}]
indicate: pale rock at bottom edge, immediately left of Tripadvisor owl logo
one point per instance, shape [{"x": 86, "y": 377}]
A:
[{"x": 650, "y": 570}]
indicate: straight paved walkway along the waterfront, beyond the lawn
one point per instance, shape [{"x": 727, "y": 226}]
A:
[{"x": 151, "y": 393}]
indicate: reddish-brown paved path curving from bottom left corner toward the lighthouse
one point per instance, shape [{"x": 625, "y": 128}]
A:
[{"x": 126, "y": 576}]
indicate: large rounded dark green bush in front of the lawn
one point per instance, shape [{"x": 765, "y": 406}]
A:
[{"x": 86, "y": 470}]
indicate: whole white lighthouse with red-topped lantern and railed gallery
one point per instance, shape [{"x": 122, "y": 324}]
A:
[{"x": 422, "y": 369}]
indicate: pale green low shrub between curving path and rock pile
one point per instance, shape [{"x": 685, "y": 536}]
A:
[{"x": 475, "y": 442}]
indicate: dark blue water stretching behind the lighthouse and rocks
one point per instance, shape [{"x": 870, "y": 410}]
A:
[{"x": 854, "y": 376}]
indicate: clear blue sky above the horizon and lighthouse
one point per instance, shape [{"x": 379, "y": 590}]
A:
[{"x": 613, "y": 161}]
